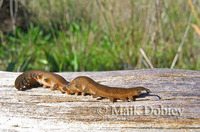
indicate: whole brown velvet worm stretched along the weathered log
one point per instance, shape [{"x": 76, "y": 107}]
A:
[{"x": 81, "y": 84}]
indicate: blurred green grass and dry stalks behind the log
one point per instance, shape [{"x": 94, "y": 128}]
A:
[{"x": 99, "y": 35}]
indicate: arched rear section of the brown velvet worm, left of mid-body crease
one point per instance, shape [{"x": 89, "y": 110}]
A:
[{"x": 34, "y": 78}]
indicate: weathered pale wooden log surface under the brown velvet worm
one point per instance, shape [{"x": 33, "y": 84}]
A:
[{"x": 173, "y": 104}]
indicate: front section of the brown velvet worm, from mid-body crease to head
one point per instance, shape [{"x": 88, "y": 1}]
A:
[{"x": 83, "y": 85}]
